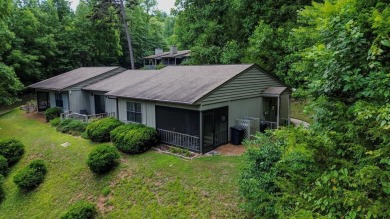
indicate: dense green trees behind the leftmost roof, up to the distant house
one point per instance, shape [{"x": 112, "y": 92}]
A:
[{"x": 64, "y": 39}]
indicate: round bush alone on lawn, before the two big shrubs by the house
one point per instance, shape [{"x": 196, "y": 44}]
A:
[{"x": 103, "y": 158}]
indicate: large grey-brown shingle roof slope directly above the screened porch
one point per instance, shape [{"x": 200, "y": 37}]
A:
[{"x": 180, "y": 84}]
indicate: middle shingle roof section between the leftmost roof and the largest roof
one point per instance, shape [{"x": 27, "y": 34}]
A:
[{"x": 122, "y": 79}]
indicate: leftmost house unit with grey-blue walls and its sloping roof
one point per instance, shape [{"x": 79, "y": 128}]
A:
[{"x": 65, "y": 90}]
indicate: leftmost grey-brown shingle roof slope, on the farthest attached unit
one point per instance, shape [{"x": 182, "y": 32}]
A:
[{"x": 71, "y": 78}]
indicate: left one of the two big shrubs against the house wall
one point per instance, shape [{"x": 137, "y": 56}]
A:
[{"x": 99, "y": 130}]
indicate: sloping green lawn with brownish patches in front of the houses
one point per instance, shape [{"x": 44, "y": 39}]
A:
[{"x": 150, "y": 185}]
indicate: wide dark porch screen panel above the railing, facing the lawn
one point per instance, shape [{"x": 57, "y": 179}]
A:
[{"x": 178, "y": 120}]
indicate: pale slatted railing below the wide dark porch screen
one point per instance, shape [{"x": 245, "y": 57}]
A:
[{"x": 189, "y": 142}]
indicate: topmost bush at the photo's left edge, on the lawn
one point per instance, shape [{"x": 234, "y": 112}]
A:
[{"x": 12, "y": 150}]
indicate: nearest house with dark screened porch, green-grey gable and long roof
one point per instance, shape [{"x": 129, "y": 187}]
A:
[{"x": 194, "y": 106}]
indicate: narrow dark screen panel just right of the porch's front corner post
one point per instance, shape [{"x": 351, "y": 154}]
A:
[{"x": 208, "y": 131}]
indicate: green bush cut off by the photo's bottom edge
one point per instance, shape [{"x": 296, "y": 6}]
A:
[{"x": 81, "y": 210}]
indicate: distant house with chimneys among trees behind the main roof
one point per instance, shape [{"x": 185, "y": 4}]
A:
[{"x": 173, "y": 57}]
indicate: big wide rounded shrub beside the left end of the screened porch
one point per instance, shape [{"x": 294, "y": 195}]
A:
[{"x": 134, "y": 138}]
